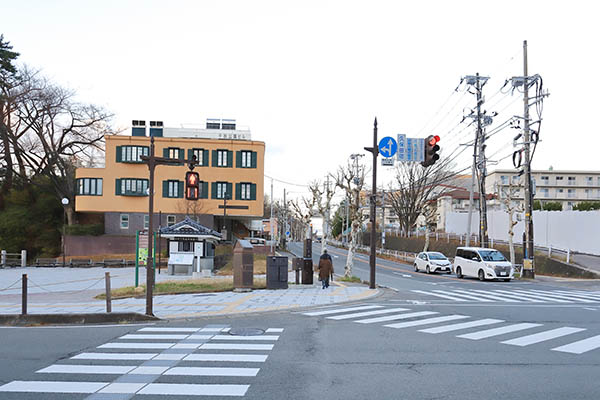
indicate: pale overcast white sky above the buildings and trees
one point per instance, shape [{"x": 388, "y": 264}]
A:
[{"x": 309, "y": 77}]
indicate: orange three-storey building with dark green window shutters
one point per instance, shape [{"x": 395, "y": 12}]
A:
[{"x": 230, "y": 164}]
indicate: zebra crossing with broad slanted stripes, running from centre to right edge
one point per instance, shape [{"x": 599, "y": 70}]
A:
[{"x": 476, "y": 328}]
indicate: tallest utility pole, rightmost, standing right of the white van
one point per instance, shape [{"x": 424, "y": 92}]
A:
[{"x": 529, "y": 253}]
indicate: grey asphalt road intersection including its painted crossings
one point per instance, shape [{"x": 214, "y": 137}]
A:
[{"x": 432, "y": 337}]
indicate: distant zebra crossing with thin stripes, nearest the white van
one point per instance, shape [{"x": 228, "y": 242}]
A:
[{"x": 515, "y": 296}]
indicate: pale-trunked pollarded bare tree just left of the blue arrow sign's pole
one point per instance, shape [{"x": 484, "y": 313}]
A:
[{"x": 351, "y": 180}]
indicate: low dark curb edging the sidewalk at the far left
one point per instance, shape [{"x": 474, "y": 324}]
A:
[{"x": 73, "y": 319}]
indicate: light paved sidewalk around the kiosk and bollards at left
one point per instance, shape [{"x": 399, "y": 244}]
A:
[{"x": 68, "y": 291}]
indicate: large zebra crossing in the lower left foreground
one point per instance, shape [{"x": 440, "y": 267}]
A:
[{"x": 143, "y": 362}]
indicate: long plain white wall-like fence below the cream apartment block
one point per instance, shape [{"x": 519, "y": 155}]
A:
[{"x": 574, "y": 230}]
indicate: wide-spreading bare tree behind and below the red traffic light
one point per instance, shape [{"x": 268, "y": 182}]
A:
[{"x": 414, "y": 186}]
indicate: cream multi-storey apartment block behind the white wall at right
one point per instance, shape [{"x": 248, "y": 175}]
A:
[{"x": 564, "y": 186}]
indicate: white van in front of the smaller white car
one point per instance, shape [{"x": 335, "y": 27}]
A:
[{"x": 482, "y": 263}]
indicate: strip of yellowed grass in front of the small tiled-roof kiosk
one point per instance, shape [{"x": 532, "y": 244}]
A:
[{"x": 180, "y": 287}]
